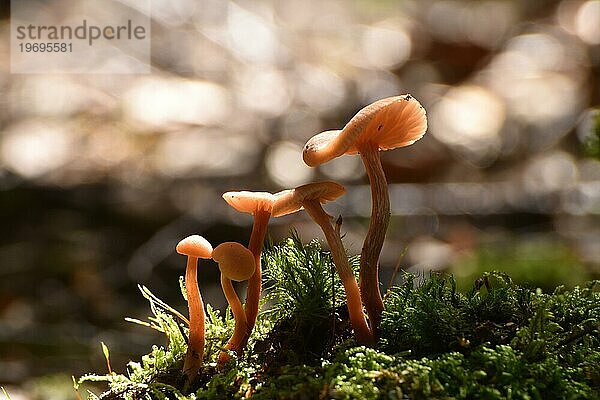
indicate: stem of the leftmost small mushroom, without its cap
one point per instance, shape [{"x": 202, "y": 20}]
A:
[{"x": 195, "y": 350}]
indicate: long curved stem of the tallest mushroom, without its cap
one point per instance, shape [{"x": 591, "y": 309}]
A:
[{"x": 380, "y": 218}]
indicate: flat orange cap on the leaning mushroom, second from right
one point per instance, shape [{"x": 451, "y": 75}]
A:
[{"x": 290, "y": 201}]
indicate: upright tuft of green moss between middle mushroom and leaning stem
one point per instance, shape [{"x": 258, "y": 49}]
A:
[{"x": 307, "y": 305}]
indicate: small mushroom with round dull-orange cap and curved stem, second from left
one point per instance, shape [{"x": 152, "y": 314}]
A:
[{"x": 235, "y": 263}]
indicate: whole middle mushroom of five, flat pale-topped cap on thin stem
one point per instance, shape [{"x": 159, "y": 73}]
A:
[{"x": 259, "y": 204}]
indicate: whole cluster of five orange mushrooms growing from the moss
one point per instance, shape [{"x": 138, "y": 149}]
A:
[{"x": 383, "y": 125}]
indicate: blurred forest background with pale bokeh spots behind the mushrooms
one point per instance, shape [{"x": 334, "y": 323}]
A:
[{"x": 101, "y": 175}]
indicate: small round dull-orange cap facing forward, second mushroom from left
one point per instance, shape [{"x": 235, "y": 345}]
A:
[{"x": 235, "y": 261}]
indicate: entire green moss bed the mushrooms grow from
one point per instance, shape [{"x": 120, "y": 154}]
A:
[{"x": 496, "y": 340}]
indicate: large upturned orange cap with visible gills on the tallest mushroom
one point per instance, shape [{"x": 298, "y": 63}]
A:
[{"x": 387, "y": 123}]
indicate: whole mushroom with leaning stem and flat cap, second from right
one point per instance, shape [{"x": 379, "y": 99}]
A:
[{"x": 310, "y": 197}]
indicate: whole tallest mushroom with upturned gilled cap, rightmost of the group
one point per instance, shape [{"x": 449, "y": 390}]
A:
[{"x": 383, "y": 125}]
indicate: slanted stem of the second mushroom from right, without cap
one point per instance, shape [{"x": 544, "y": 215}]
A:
[{"x": 357, "y": 318}]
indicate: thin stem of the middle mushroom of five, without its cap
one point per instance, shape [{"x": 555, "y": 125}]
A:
[{"x": 257, "y": 238}]
